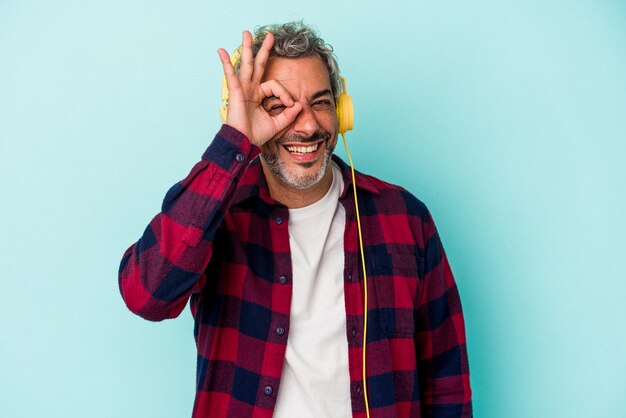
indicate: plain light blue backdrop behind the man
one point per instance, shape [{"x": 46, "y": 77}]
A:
[{"x": 508, "y": 118}]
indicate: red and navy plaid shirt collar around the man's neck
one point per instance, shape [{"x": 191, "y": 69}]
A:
[{"x": 254, "y": 184}]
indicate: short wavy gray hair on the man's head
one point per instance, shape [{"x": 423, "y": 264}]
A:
[{"x": 294, "y": 40}]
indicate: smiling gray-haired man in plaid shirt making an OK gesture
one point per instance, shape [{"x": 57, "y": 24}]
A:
[{"x": 262, "y": 236}]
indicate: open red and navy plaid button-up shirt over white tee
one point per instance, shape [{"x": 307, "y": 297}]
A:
[{"x": 222, "y": 241}]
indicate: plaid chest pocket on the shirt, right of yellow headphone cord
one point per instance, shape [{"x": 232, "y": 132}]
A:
[{"x": 395, "y": 281}]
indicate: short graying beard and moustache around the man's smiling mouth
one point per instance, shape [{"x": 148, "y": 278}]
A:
[{"x": 279, "y": 168}]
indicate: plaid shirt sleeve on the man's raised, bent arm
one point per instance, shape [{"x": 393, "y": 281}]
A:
[{"x": 159, "y": 272}]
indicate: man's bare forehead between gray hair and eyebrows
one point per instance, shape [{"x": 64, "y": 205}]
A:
[{"x": 298, "y": 75}]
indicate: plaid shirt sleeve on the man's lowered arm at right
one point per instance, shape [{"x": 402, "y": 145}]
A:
[{"x": 440, "y": 336}]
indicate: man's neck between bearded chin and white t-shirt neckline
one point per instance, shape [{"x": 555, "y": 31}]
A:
[{"x": 297, "y": 198}]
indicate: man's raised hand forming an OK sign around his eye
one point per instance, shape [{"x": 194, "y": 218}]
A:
[{"x": 247, "y": 93}]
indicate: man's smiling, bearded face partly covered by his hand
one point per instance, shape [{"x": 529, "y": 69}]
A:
[{"x": 299, "y": 155}]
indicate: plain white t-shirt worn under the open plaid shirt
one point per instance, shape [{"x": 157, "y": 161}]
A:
[{"x": 315, "y": 379}]
